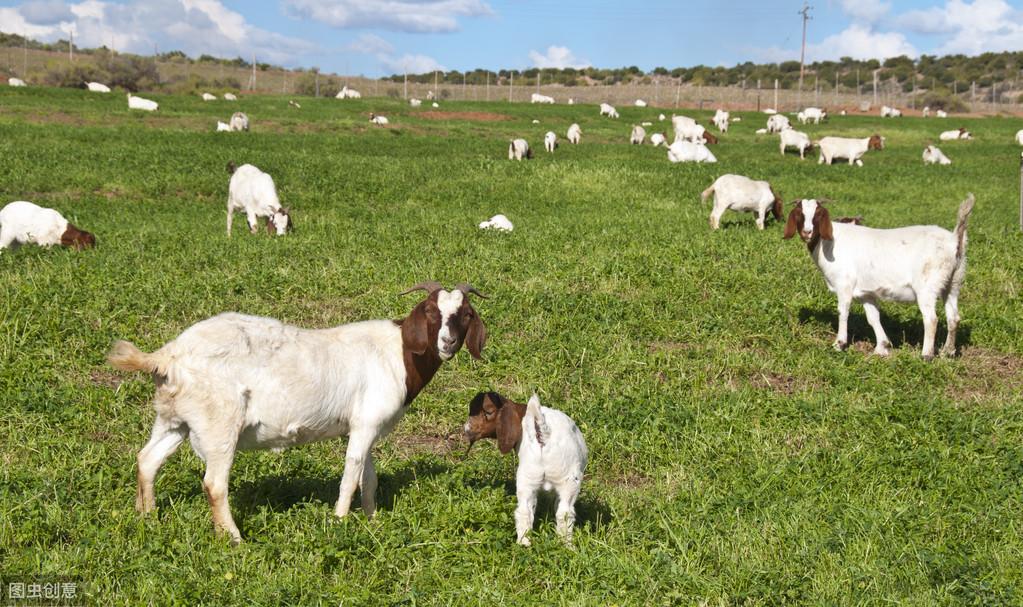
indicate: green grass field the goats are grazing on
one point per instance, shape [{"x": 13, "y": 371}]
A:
[{"x": 736, "y": 459}]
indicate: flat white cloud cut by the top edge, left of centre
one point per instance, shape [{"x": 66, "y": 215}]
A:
[{"x": 402, "y": 16}]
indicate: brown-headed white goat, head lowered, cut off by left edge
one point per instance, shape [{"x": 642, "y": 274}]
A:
[{"x": 25, "y": 224}]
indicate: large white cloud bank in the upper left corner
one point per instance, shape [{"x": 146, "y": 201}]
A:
[{"x": 195, "y": 27}]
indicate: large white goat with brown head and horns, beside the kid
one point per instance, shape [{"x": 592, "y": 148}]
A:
[{"x": 238, "y": 382}]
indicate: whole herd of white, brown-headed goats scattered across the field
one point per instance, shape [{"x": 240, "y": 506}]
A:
[{"x": 241, "y": 382}]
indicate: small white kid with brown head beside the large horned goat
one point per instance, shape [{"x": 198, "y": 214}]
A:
[{"x": 552, "y": 453}]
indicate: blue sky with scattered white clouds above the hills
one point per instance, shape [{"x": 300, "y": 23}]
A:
[{"x": 380, "y": 37}]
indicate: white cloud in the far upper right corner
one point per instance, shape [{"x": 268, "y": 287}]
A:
[{"x": 969, "y": 28}]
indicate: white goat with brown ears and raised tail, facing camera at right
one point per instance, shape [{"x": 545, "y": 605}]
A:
[{"x": 921, "y": 264}]
